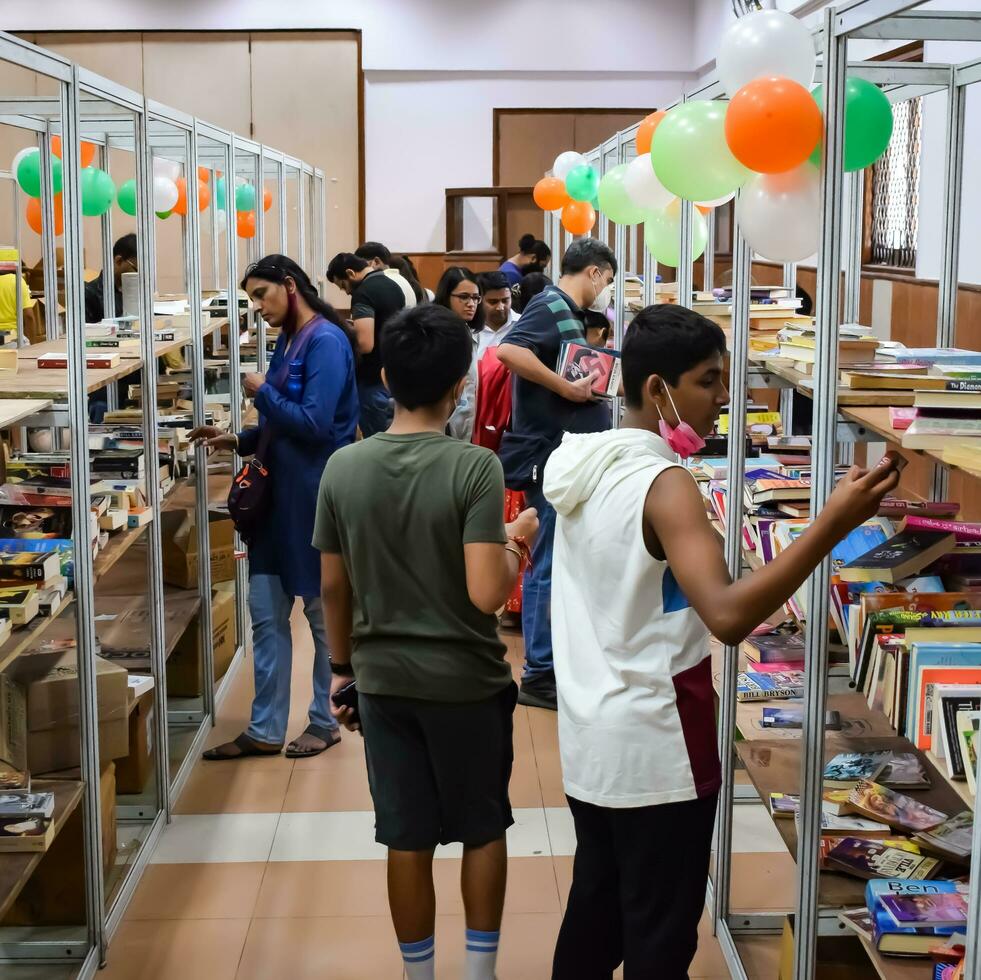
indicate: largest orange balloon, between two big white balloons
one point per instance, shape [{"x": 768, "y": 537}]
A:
[{"x": 773, "y": 125}]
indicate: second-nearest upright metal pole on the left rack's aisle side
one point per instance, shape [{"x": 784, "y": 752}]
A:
[{"x": 146, "y": 260}]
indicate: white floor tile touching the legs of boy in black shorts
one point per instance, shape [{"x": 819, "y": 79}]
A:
[{"x": 342, "y": 836}]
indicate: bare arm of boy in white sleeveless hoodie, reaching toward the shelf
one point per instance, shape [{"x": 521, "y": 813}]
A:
[{"x": 675, "y": 512}]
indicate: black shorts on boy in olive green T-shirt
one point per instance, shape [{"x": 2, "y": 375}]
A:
[{"x": 439, "y": 771}]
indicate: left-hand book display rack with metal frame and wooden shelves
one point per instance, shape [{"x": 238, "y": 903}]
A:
[{"x": 194, "y": 259}]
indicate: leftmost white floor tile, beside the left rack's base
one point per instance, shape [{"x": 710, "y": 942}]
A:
[{"x": 203, "y": 838}]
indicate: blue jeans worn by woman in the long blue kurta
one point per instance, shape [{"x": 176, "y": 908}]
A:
[{"x": 272, "y": 642}]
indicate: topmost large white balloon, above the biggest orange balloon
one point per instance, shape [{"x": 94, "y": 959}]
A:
[{"x": 765, "y": 43}]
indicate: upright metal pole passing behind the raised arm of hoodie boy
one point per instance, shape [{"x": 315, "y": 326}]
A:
[{"x": 738, "y": 369}]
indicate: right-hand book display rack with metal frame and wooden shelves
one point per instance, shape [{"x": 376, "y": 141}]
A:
[{"x": 842, "y": 417}]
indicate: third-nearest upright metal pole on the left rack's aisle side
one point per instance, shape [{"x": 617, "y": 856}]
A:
[{"x": 192, "y": 249}]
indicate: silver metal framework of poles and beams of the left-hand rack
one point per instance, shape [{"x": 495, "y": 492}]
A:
[{"x": 89, "y": 107}]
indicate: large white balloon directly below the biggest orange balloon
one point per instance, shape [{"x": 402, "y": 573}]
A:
[{"x": 780, "y": 214}]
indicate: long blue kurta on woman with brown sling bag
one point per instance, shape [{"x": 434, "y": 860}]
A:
[{"x": 324, "y": 417}]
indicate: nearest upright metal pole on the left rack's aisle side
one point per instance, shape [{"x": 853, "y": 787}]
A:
[{"x": 81, "y": 506}]
